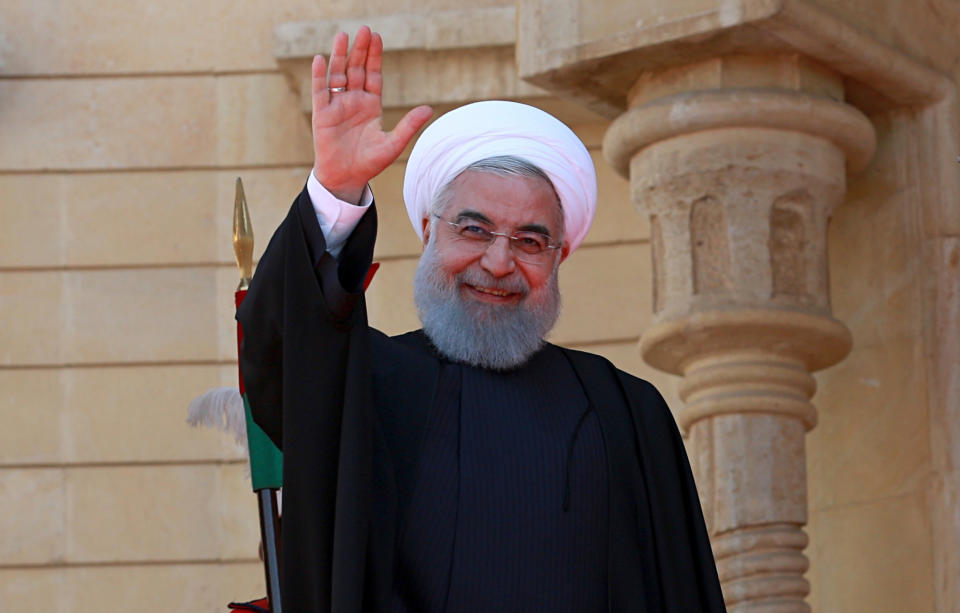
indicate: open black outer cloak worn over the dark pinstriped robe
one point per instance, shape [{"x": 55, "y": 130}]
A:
[{"x": 347, "y": 405}]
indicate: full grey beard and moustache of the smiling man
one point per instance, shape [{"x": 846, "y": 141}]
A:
[{"x": 499, "y": 337}]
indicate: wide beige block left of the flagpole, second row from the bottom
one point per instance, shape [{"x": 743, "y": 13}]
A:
[{"x": 156, "y": 513}]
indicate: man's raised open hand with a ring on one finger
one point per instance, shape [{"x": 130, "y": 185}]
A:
[{"x": 349, "y": 144}]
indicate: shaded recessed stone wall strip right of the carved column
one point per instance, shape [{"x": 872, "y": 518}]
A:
[{"x": 869, "y": 458}]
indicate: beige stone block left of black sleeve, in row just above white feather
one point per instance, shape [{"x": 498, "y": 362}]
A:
[{"x": 100, "y": 316}]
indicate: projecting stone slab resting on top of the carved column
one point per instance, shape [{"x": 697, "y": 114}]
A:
[{"x": 594, "y": 54}]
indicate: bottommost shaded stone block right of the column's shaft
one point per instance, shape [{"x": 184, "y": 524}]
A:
[{"x": 873, "y": 557}]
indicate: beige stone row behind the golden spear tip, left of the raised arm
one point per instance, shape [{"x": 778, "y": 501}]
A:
[{"x": 135, "y": 218}]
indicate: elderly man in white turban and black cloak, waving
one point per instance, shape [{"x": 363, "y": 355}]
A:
[{"x": 467, "y": 466}]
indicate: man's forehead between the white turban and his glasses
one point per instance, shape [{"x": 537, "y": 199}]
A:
[{"x": 509, "y": 201}]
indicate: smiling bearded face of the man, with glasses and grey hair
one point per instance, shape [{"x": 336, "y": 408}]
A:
[{"x": 475, "y": 286}]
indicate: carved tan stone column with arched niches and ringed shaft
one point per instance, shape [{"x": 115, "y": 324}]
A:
[{"x": 739, "y": 177}]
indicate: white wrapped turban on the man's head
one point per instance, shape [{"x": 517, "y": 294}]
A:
[{"x": 493, "y": 128}]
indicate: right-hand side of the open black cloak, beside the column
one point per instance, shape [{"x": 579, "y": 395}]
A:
[{"x": 676, "y": 572}]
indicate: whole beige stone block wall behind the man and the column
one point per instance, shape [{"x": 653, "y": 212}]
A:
[{"x": 122, "y": 128}]
